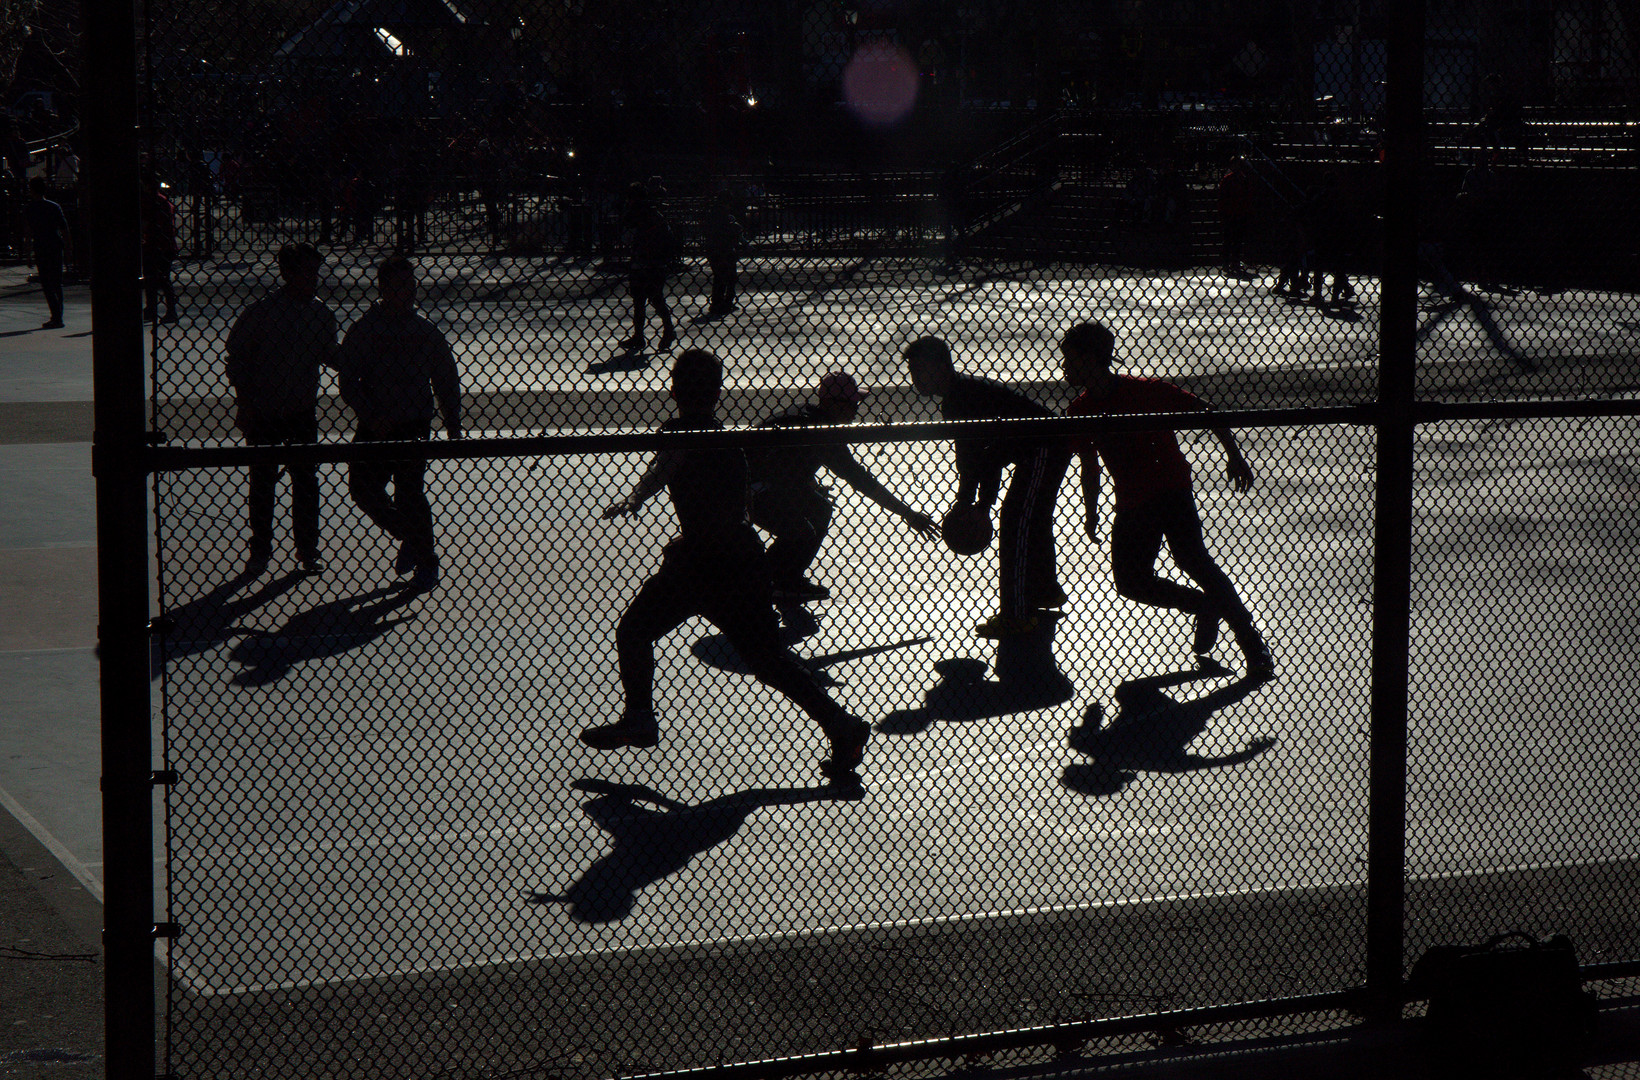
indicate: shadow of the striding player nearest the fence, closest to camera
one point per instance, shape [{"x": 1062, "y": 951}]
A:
[{"x": 657, "y": 837}]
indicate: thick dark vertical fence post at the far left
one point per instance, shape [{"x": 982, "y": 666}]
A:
[{"x": 111, "y": 117}]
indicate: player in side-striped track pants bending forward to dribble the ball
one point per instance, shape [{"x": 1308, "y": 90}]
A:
[{"x": 1029, "y": 579}]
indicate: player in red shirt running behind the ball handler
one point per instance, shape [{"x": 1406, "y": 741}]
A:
[{"x": 1155, "y": 499}]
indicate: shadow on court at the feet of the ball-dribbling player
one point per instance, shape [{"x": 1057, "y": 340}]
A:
[{"x": 1029, "y": 679}]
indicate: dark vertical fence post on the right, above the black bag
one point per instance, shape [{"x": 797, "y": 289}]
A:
[{"x": 1393, "y": 538}]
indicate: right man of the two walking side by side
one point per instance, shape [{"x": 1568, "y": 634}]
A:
[{"x": 396, "y": 366}]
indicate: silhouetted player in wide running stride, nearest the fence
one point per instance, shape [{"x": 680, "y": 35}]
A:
[{"x": 714, "y": 568}]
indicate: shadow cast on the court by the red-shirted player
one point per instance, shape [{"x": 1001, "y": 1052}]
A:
[{"x": 1152, "y": 733}]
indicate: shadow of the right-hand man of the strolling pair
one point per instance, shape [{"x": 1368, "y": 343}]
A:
[{"x": 327, "y": 630}]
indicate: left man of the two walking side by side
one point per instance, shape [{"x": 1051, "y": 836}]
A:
[{"x": 276, "y": 355}]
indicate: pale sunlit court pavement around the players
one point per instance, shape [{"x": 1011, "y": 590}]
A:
[{"x": 988, "y": 797}]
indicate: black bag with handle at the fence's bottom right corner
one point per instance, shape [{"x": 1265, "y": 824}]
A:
[{"x": 1511, "y": 1007}]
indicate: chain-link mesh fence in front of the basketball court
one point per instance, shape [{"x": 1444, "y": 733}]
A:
[{"x": 485, "y": 761}]
